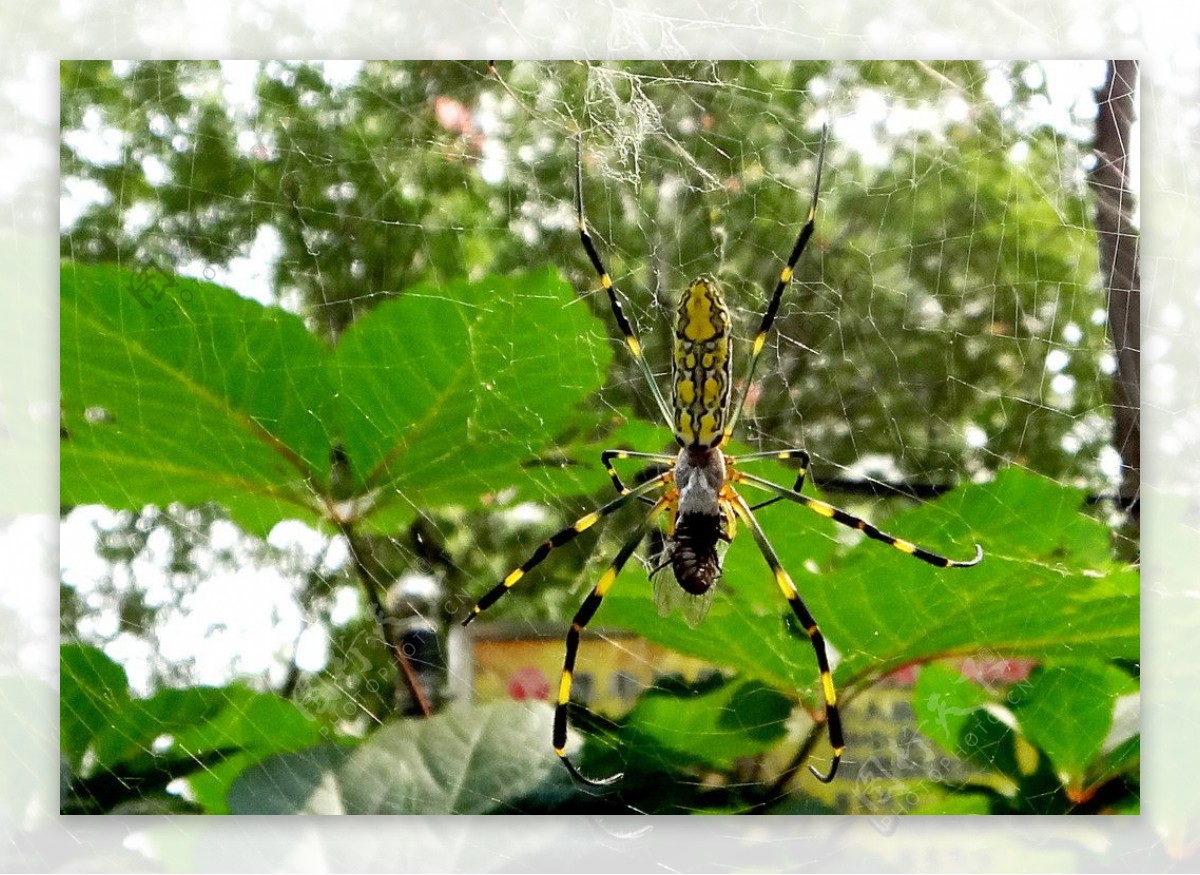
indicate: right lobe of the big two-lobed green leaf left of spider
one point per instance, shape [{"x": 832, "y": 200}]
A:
[{"x": 447, "y": 392}]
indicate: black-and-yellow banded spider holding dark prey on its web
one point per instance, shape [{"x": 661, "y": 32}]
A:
[{"x": 698, "y": 488}]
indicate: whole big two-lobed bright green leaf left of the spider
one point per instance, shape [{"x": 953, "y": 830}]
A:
[{"x": 178, "y": 391}]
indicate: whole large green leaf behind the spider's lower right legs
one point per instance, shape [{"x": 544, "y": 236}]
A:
[{"x": 1045, "y": 589}]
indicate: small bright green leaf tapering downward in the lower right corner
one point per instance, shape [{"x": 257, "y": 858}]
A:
[{"x": 1067, "y": 712}]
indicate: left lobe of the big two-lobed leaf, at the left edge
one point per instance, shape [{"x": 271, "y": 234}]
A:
[{"x": 179, "y": 391}]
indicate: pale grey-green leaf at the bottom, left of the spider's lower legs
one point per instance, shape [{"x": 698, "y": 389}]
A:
[{"x": 463, "y": 762}]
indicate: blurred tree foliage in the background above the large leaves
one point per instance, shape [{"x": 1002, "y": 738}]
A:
[{"x": 970, "y": 239}]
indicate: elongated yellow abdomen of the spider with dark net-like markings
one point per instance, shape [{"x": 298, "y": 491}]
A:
[{"x": 701, "y": 375}]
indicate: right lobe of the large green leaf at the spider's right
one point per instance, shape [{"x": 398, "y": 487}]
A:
[{"x": 1047, "y": 588}]
